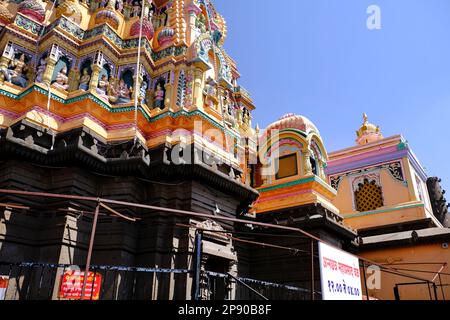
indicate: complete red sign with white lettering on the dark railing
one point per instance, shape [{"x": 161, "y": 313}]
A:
[{"x": 72, "y": 284}]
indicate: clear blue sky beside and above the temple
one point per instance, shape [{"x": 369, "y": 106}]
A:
[{"x": 318, "y": 58}]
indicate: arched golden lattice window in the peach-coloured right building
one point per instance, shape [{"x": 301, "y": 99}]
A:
[{"x": 369, "y": 196}]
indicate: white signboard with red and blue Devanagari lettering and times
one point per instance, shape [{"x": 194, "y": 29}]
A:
[{"x": 339, "y": 273}]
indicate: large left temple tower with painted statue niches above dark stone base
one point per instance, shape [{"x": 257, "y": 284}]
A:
[{"x": 131, "y": 100}]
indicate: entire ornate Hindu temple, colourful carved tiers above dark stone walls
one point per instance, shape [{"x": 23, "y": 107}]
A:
[{"x": 137, "y": 101}]
